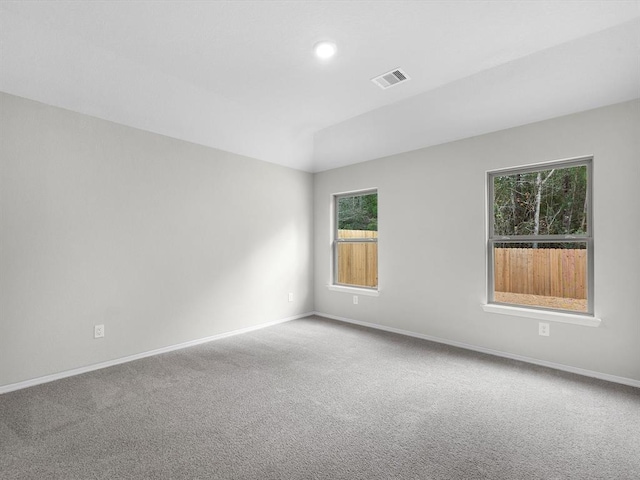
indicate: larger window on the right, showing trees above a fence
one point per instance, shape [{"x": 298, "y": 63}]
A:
[{"x": 540, "y": 236}]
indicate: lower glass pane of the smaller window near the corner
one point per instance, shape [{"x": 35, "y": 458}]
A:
[{"x": 358, "y": 264}]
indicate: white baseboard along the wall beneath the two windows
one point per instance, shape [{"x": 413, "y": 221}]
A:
[{"x": 557, "y": 366}]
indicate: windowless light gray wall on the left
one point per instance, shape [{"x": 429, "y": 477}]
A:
[{"x": 160, "y": 240}]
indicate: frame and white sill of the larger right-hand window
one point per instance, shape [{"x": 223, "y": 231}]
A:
[{"x": 541, "y": 313}]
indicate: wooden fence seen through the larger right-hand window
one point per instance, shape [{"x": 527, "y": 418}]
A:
[{"x": 551, "y": 272}]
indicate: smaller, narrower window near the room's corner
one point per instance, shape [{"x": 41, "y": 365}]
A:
[{"x": 355, "y": 243}]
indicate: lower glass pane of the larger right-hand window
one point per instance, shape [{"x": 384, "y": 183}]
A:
[{"x": 541, "y": 274}]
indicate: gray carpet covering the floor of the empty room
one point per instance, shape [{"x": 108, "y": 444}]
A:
[{"x": 318, "y": 399}]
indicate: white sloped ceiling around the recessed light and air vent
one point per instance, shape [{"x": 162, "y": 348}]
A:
[{"x": 241, "y": 76}]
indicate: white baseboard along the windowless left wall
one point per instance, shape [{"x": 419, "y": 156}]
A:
[{"x": 170, "y": 348}]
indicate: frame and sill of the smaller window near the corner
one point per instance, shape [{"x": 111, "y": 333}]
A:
[{"x": 341, "y": 287}]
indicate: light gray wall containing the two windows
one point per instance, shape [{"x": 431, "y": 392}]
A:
[{"x": 432, "y": 240}]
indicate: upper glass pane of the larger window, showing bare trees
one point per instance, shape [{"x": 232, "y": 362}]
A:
[{"x": 546, "y": 202}]
